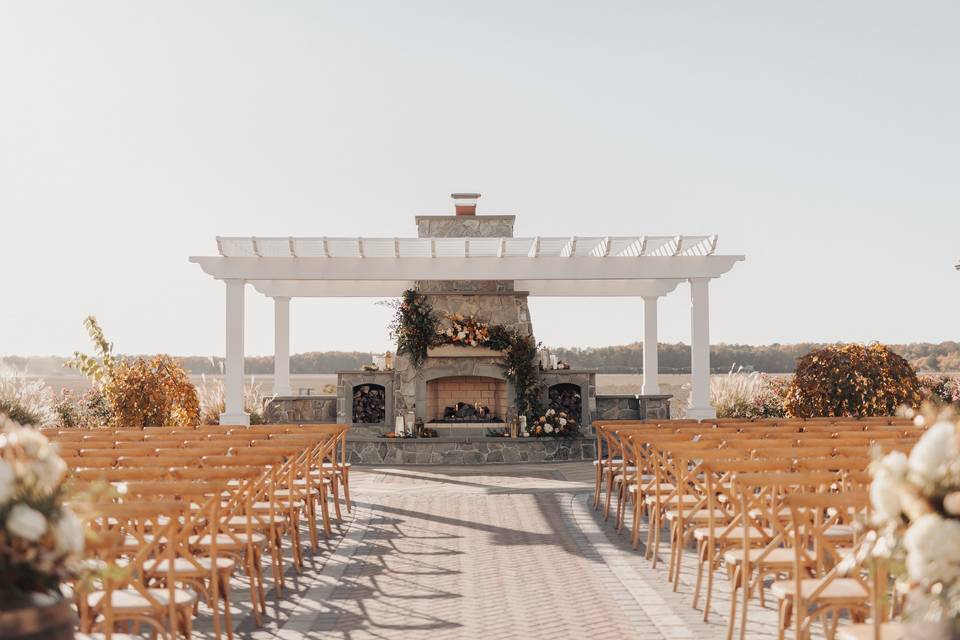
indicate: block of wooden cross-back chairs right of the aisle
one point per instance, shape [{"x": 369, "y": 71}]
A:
[{"x": 784, "y": 500}]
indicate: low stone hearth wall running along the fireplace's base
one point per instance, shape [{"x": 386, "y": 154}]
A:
[{"x": 468, "y": 451}]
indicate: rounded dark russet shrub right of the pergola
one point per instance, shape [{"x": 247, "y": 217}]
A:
[{"x": 851, "y": 380}]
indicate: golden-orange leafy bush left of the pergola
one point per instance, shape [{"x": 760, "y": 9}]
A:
[{"x": 151, "y": 393}]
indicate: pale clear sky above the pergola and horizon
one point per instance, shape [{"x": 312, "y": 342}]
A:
[{"x": 821, "y": 139}]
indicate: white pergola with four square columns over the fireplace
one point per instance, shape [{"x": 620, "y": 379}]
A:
[{"x": 645, "y": 266}]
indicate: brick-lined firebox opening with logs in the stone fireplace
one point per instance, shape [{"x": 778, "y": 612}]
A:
[{"x": 458, "y": 399}]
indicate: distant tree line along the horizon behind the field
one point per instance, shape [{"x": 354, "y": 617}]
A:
[{"x": 925, "y": 357}]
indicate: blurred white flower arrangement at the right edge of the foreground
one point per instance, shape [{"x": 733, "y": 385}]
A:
[{"x": 916, "y": 506}]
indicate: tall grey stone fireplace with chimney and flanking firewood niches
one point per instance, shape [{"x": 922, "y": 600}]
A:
[{"x": 446, "y": 391}]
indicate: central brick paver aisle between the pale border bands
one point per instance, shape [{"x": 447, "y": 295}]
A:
[{"x": 448, "y": 554}]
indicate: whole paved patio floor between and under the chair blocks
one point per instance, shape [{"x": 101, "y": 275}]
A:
[{"x": 484, "y": 552}]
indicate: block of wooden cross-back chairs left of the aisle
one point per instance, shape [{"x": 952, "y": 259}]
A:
[{"x": 180, "y": 511}]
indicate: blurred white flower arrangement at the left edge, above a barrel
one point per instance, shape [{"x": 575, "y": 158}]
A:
[{"x": 41, "y": 538}]
